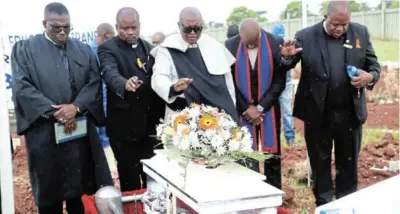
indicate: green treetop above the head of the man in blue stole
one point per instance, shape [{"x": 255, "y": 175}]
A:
[{"x": 240, "y": 13}]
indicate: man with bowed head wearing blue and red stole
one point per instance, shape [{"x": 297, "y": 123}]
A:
[{"x": 259, "y": 78}]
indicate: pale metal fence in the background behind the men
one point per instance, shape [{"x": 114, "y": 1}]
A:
[{"x": 382, "y": 24}]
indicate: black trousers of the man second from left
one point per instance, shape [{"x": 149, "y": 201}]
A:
[{"x": 128, "y": 156}]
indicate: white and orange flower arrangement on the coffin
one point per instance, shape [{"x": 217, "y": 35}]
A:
[{"x": 204, "y": 132}]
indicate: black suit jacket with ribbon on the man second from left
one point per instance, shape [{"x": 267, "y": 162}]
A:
[{"x": 131, "y": 116}]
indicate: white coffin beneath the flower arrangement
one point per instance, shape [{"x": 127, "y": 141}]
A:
[{"x": 227, "y": 189}]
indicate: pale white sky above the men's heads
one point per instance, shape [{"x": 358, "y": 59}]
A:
[{"x": 24, "y": 16}]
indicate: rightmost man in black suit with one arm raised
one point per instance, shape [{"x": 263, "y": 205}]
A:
[{"x": 330, "y": 103}]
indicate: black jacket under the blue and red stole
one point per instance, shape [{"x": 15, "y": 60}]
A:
[{"x": 271, "y": 97}]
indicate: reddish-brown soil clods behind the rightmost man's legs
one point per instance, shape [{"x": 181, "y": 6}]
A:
[{"x": 299, "y": 199}]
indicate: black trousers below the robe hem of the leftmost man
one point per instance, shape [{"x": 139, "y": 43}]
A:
[{"x": 74, "y": 206}]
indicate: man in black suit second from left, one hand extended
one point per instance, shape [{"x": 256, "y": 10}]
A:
[{"x": 133, "y": 109}]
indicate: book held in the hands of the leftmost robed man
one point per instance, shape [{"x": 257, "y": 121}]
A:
[{"x": 81, "y": 131}]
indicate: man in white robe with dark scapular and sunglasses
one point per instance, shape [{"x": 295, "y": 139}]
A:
[{"x": 194, "y": 68}]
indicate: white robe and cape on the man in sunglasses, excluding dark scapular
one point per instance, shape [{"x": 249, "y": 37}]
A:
[{"x": 216, "y": 56}]
